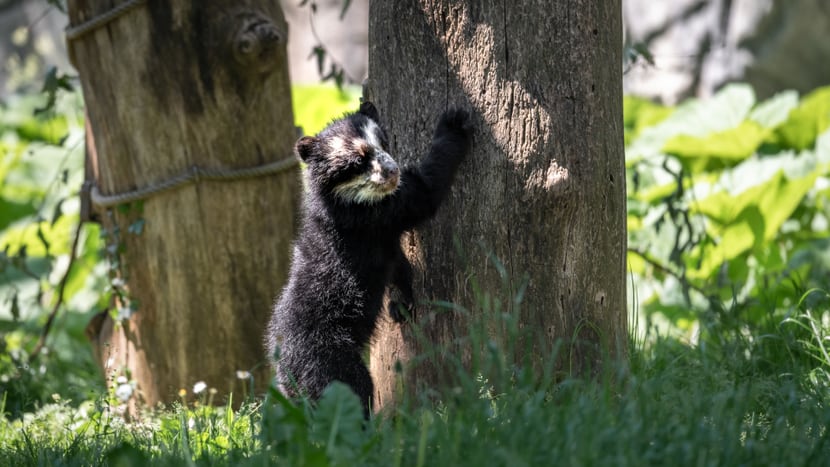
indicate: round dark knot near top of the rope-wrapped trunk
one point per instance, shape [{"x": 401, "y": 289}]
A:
[{"x": 254, "y": 43}]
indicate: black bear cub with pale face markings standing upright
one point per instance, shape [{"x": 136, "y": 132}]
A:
[{"x": 358, "y": 203}]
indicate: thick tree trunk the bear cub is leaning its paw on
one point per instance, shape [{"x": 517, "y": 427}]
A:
[{"x": 535, "y": 225}]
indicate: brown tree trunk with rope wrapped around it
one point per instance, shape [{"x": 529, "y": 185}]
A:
[{"x": 170, "y": 86}]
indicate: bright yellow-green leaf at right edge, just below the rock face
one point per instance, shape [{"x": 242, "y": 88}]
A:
[{"x": 806, "y": 121}]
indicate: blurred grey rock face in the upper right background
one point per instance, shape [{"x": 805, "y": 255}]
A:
[{"x": 699, "y": 45}]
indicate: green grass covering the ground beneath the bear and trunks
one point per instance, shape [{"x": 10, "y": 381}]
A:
[{"x": 740, "y": 396}]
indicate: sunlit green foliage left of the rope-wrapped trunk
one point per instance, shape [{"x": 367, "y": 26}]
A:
[{"x": 40, "y": 173}]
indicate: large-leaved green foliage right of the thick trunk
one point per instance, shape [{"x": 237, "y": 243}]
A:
[{"x": 727, "y": 199}]
